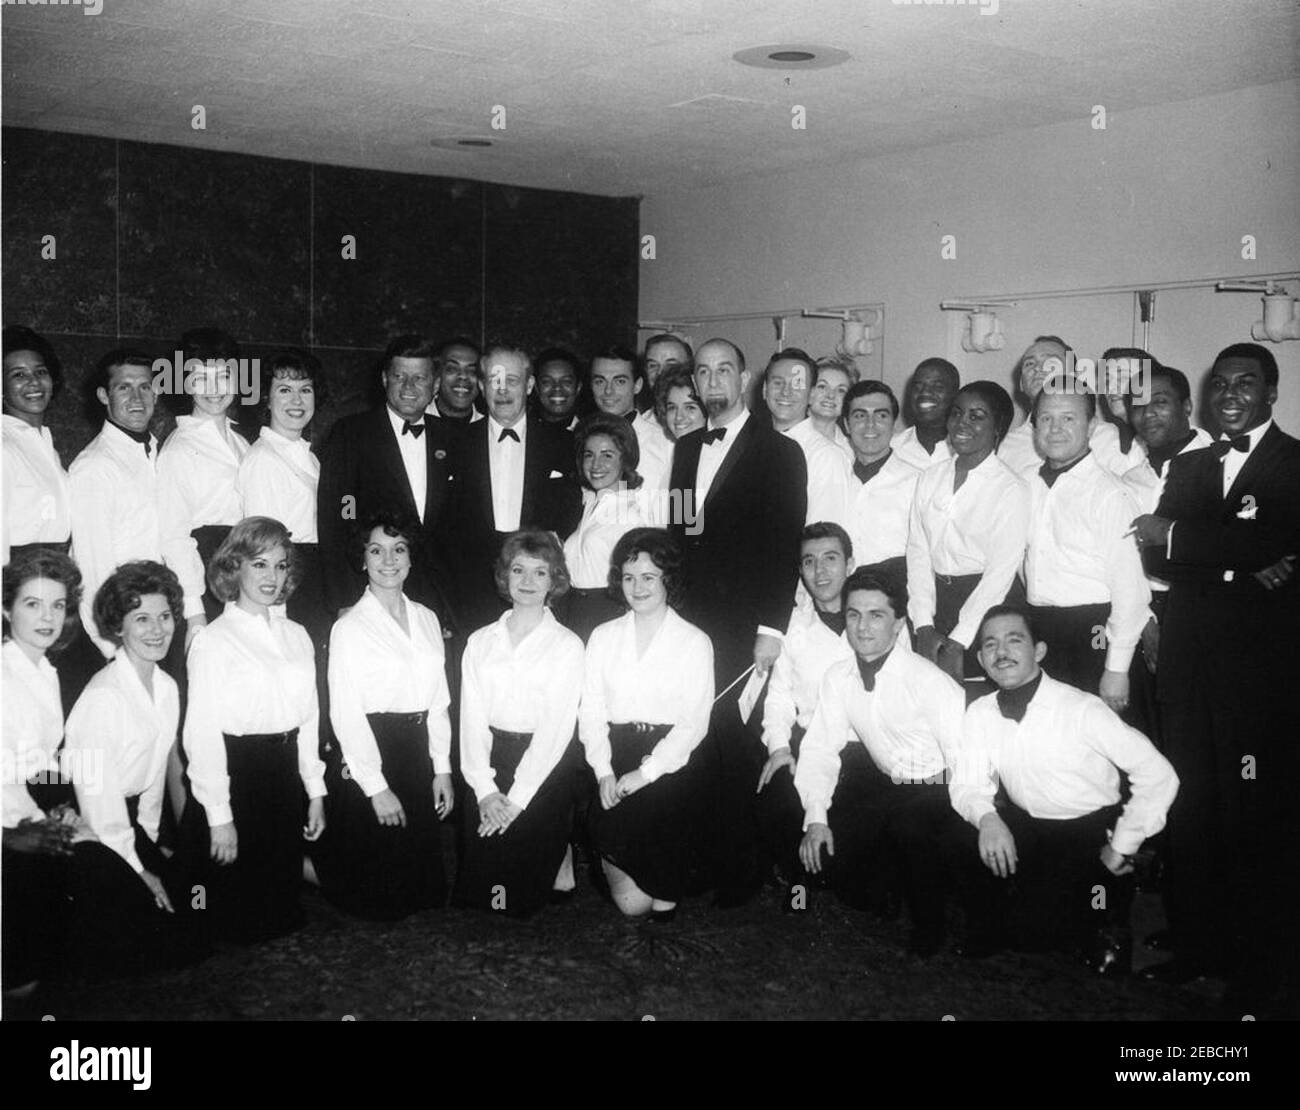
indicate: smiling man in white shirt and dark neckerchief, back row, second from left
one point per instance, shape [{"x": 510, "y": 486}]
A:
[{"x": 114, "y": 482}]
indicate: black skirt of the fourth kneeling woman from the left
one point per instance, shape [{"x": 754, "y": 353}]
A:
[{"x": 387, "y": 873}]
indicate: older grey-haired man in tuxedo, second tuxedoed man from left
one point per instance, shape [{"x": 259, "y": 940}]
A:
[{"x": 512, "y": 471}]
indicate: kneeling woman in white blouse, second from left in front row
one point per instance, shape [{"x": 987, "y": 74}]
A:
[{"x": 120, "y": 735}]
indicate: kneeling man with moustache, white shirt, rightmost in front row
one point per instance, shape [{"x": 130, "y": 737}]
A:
[{"x": 1063, "y": 835}]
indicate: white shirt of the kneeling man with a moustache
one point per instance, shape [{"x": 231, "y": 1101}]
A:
[{"x": 1063, "y": 761}]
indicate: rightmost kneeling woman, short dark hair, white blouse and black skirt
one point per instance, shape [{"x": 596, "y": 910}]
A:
[{"x": 647, "y": 697}]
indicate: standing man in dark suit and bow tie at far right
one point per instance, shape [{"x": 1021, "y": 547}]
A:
[{"x": 1227, "y": 535}]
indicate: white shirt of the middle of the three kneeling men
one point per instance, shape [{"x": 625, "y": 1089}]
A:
[{"x": 911, "y": 725}]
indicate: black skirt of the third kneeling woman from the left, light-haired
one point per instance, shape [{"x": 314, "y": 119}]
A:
[{"x": 255, "y": 897}]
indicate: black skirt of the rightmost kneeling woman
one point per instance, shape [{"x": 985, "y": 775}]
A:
[{"x": 645, "y": 835}]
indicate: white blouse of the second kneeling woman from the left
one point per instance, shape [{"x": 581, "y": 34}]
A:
[{"x": 129, "y": 732}]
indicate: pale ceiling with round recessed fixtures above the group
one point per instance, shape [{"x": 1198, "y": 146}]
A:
[{"x": 616, "y": 97}]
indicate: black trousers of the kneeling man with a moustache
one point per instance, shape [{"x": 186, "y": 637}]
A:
[{"x": 1061, "y": 895}]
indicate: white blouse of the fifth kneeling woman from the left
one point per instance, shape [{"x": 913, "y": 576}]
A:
[{"x": 532, "y": 687}]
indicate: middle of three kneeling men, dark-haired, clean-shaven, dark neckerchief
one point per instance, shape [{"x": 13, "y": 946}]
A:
[{"x": 891, "y": 818}]
